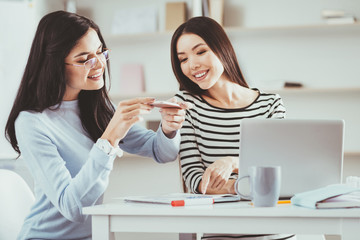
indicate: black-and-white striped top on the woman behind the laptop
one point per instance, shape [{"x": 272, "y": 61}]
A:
[{"x": 210, "y": 132}]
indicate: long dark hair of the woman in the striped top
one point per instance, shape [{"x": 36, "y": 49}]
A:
[{"x": 217, "y": 40}]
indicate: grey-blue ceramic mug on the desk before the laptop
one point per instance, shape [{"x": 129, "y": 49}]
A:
[{"x": 265, "y": 183}]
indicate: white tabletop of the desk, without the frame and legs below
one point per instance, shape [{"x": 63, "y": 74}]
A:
[{"x": 119, "y": 207}]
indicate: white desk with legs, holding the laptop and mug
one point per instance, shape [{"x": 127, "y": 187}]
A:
[{"x": 240, "y": 217}]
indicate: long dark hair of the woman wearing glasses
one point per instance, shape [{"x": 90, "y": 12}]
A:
[{"x": 43, "y": 83}]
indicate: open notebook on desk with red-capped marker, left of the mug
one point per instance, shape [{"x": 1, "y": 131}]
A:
[{"x": 183, "y": 199}]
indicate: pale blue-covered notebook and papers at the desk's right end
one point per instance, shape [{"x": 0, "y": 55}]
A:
[{"x": 332, "y": 196}]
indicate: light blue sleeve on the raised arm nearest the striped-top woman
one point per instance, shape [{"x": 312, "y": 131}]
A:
[{"x": 148, "y": 143}]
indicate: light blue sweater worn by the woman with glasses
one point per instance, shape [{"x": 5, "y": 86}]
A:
[{"x": 70, "y": 172}]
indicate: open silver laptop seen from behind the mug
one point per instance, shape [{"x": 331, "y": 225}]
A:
[{"x": 310, "y": 152}]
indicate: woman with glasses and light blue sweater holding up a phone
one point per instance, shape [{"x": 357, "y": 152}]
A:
[{"x": 69, "y": 133}]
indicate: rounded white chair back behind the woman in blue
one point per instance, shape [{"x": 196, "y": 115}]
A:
[{"x": 15, "y": 202}]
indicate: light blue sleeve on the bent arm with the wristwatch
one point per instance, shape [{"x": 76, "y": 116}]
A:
[{"x": 49, "y": 170}]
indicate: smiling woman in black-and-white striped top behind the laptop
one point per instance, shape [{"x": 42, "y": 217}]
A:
[{"x": 206, "y": 67}]
